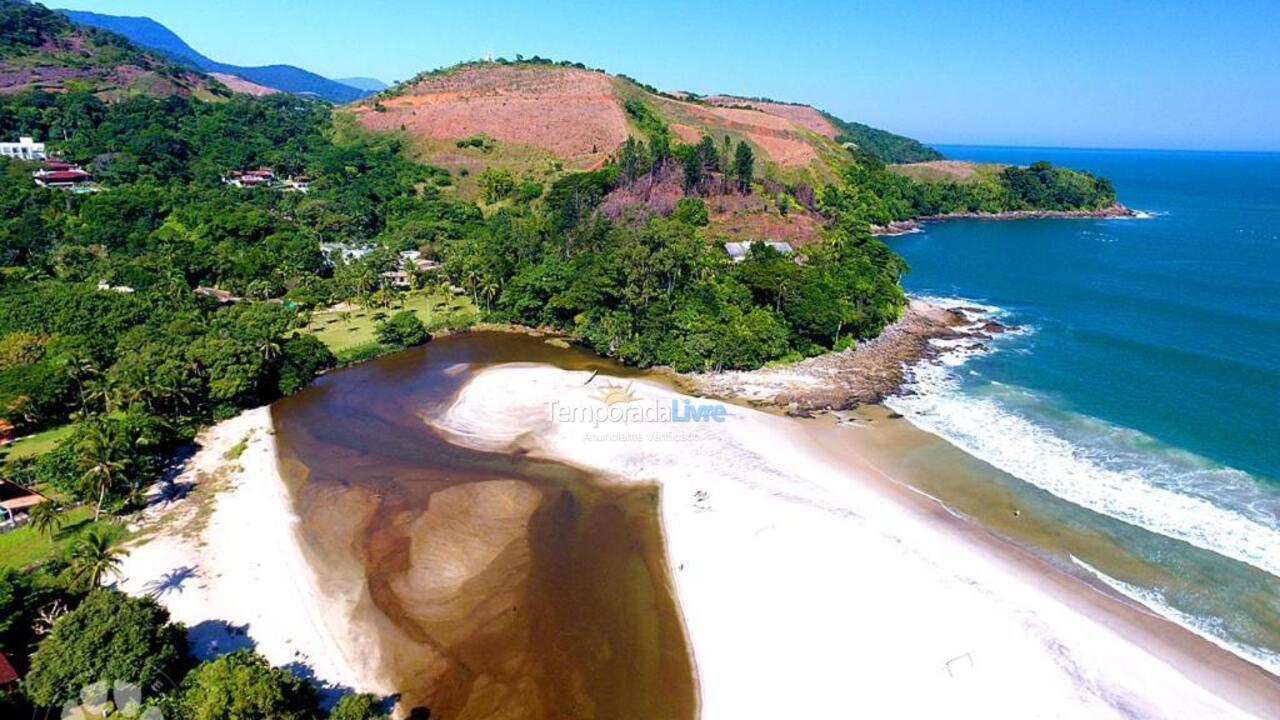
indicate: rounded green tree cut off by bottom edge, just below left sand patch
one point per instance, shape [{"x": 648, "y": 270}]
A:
[{"x": 243, "y": 686}]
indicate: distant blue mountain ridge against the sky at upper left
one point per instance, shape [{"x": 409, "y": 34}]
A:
[{"x": 287, "y": 79}]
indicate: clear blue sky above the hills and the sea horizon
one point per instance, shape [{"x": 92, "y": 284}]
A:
[{"x": 1086, "y": 74}]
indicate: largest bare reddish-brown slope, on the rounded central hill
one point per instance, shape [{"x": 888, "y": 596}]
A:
[{"x": 572, "y": 113}]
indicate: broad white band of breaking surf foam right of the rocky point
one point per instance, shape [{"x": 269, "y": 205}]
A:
[{"x": 1032, "y": 452}]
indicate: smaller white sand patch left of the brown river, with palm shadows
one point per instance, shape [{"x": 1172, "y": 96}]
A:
[{"x": 227, "y": 563}]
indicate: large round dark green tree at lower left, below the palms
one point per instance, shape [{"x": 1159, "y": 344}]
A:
[{"x": 109, "y": 637}]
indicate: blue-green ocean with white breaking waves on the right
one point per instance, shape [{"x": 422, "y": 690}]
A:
[{"x": 1141, "y": 398}]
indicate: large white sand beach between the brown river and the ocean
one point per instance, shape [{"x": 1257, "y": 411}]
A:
[{"x": 811, "y": 591}]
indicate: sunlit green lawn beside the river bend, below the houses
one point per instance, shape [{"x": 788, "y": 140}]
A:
[{"x": 346, "y": 335}]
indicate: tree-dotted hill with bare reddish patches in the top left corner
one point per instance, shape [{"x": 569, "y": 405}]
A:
[{"x": 42, "y": 49}]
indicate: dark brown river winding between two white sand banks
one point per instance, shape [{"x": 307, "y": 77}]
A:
[{"x": 487, "y": 585}]
